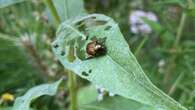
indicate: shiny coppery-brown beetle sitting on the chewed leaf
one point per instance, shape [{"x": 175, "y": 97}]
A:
[{"x": 96, "y": 48}]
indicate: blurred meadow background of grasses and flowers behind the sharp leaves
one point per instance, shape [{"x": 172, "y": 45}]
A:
[{"x": 160, "y": 34}]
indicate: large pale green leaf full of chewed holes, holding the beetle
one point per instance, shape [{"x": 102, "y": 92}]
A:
[{"x": 118, "y": 70}]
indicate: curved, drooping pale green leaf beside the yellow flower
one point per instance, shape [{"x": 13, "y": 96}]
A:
[{"x": 23, "y": 103}]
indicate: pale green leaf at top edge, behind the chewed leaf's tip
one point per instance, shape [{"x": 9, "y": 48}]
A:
[{"x": 69, "y": 8}]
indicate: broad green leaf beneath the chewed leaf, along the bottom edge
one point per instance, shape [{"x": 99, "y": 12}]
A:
[{"x": 89, "y": 101}]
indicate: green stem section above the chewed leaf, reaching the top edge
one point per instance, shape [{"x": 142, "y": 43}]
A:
[{"x": 53, "y": 10}]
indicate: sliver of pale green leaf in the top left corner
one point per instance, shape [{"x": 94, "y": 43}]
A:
[{"x": 5, "y": 3}]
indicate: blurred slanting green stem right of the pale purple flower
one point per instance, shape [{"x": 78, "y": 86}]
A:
[{"x": 180, "y": 29}]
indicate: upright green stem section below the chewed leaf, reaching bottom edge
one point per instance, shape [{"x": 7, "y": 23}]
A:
[{"x": 72, "y": 90}]
